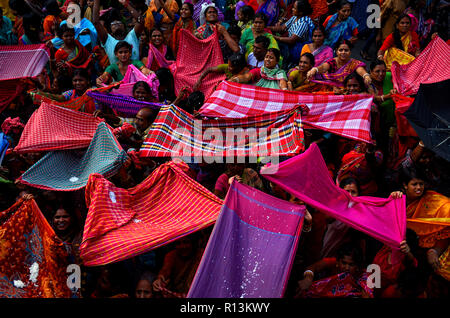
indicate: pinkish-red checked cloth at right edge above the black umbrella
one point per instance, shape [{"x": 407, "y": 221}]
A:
[{"x": 431, "y": 66}]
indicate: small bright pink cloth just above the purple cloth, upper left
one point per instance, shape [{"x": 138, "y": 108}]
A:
[{"x": 132, "y": 76}]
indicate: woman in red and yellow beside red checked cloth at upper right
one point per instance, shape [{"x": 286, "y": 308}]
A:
[{"x": 402, "y": 45}]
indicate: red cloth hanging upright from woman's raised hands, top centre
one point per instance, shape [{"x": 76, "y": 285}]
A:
[{"x": 195, "y": 56}]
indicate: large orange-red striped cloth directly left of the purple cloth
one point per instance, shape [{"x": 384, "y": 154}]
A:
[{"x": 123, "y": 223}]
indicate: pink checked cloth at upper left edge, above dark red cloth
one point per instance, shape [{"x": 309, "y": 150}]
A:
[{"x": 19, "y": 61}]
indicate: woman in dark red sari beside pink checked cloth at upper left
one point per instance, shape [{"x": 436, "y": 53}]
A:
[{"x": 72, "y": 54}]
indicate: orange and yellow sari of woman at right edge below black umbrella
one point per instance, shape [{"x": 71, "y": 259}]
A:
[{"x": 429, "y": 217}]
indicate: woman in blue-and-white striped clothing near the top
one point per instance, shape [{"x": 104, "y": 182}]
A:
[{"x": 299, "y": 28}]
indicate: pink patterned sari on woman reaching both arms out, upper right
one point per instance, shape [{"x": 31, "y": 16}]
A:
[{"x": 335, "y": 76}]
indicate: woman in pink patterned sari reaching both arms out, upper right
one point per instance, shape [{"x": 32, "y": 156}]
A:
[{"x": 335, "y": 70}]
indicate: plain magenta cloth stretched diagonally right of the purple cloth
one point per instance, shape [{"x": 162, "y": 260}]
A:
[{"x": 306, "y": 177}]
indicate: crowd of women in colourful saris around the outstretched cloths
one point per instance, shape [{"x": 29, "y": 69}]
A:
[{"x": 286, "y": 45}]
